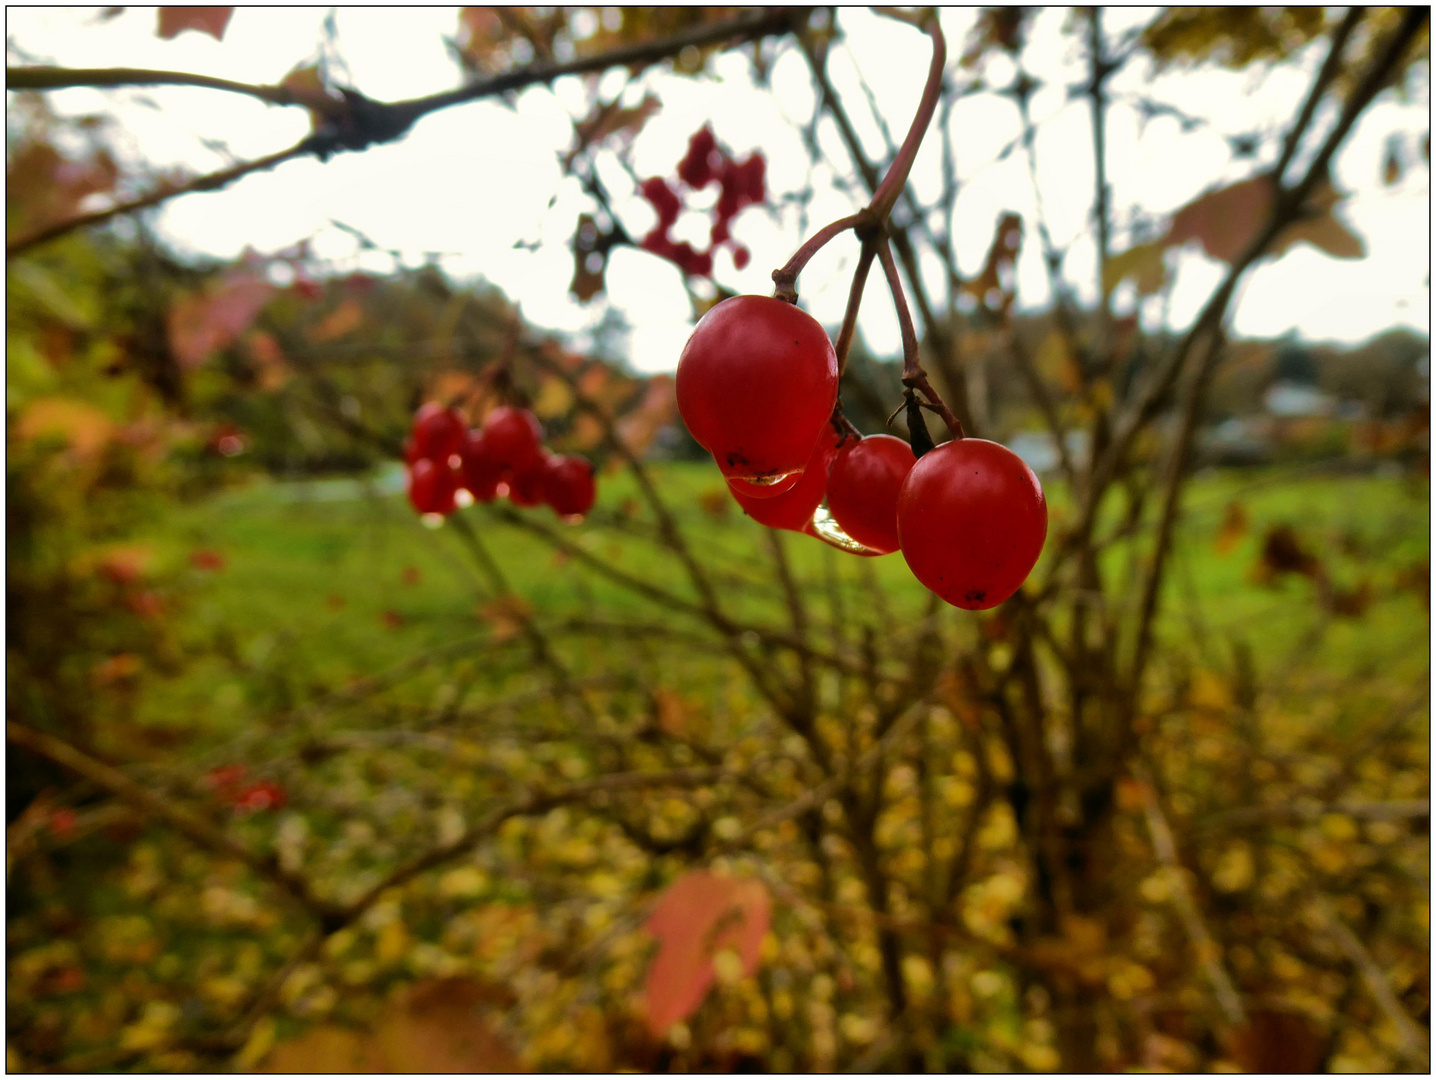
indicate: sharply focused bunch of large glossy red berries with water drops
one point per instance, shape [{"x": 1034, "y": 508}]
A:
[{"x": 757, "y": 387}]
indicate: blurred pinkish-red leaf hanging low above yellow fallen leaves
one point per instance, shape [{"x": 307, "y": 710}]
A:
[{"x": 700, "y": 916}]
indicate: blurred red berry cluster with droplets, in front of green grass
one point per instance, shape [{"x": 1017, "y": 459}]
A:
[{"x": 450, "y": 463}]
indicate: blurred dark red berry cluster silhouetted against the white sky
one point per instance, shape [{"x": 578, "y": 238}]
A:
[{"x": 740, "y": 183}]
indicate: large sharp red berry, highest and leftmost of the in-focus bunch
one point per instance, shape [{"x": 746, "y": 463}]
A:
[{"x": 756, "y": 386}]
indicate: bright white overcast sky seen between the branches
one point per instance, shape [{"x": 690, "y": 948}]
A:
[{"x": 473, "y": 182}]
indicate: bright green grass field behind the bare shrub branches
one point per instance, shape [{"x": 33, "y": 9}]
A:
[{"x": 337, "y": 581}]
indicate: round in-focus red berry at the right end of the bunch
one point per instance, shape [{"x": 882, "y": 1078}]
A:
[{"x": 973, "y": 521}]
